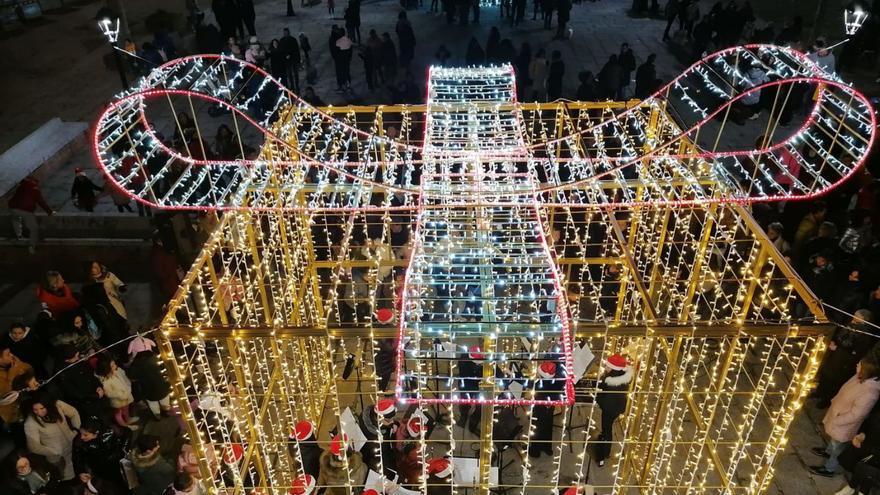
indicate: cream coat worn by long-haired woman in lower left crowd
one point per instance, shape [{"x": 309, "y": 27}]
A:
[{"x": 54, "y": 440}]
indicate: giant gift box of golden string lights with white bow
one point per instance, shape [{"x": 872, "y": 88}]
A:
[{"x": 389, "y": 251}]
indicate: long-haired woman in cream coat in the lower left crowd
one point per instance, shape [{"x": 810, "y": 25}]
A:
[{"x": 50, "y": 428}]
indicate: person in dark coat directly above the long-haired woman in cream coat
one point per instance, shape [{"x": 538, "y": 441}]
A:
[{"x": 79, "y": 385}]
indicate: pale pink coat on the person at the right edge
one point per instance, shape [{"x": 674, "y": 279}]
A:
[{"x": 850, "y": 407}]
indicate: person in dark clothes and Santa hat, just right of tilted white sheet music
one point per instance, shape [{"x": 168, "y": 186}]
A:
[{"x": 377, "y": 420}]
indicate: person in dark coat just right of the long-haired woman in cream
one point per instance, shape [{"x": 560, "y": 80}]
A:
[{"x": 97, "y": 451}]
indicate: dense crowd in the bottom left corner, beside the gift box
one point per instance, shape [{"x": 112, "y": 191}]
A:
[{"x": 76, "y": 387}]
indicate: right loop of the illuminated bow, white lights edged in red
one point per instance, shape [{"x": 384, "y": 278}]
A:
[{"x": 702, "y": 156}]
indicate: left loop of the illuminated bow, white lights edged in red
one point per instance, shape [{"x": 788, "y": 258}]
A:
[{"x": 333, "y": 161}]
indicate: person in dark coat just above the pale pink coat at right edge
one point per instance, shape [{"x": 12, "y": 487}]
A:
[{"x": 845, "y": 350}]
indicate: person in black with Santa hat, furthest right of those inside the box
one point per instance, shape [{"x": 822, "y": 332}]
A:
[{"x": 612, "y": 399}]
